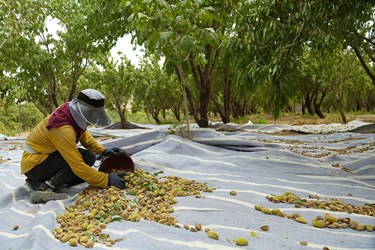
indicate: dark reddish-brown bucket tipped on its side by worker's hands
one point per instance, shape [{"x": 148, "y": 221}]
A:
[{"x": 120, "y": 162}]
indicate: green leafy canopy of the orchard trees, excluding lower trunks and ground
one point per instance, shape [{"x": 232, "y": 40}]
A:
[{"x": 260, "y": 42}]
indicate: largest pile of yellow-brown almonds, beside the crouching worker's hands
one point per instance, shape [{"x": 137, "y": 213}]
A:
[{"x": 83, "y": 222}]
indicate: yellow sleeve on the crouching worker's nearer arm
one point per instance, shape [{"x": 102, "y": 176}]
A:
[{"x": 64, "y": 139}]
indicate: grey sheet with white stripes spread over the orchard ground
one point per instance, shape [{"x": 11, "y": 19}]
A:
[{"x": 254, "y": 161}]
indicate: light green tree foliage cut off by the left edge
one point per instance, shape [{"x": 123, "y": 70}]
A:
[{"x": 17, "y": 19}]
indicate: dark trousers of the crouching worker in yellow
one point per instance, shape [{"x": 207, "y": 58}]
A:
[{"x": 57, "y": 171}]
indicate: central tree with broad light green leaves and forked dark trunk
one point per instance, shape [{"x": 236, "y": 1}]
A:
[{"x": 189, "y": 34}]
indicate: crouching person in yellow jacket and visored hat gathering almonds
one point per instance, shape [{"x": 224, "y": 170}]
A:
[{"x": 51, "y": 157}]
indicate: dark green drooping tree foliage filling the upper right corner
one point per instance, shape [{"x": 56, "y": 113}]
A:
[{"x": 275, "y": 34}]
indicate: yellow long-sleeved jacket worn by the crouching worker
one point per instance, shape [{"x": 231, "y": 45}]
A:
[{"x": 63, "y": 139}]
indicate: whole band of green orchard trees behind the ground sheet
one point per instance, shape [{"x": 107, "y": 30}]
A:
[{"x": 223, "y": 60}]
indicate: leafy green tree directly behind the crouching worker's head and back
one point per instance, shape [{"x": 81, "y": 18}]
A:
[{"x": 47, "y": 67}]
